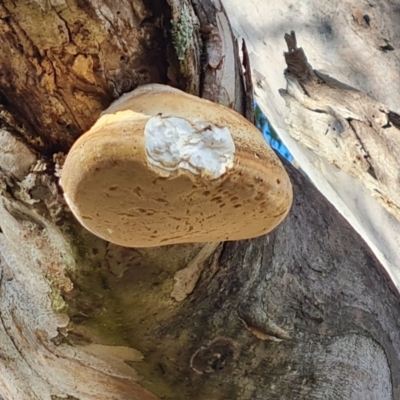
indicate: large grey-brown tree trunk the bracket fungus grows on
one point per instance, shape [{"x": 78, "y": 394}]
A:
[{"x": 305, "y": 312}]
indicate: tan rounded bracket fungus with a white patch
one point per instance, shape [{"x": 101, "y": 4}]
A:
[{"x": 161, "y": 166}]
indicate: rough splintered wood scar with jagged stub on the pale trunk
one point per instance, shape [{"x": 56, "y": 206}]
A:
[{"x": 345, "y": 126}]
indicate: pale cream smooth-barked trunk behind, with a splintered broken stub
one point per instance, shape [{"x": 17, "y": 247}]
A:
[{"x": 355, "y": 43}]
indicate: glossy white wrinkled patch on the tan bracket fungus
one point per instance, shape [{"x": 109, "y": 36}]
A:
[{"x": 202, "y": 148}]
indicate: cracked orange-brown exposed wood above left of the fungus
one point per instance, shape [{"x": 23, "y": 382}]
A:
[{"x": 62, "y": 65}]
